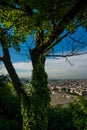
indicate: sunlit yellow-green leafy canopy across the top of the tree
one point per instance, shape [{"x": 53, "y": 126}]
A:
[{"x": 20, "y": 18}]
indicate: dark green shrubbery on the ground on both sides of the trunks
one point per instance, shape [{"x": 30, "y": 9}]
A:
[{"x": 72, "y": 117}]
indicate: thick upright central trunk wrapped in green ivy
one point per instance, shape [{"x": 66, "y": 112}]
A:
[{"x": 39, "y": 94}]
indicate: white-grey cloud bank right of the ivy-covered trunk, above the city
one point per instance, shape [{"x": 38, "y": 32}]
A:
[{"x": 61, "y": 69}]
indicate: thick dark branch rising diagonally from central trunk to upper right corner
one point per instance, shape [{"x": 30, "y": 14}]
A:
[{"x": 60, "y": 28}]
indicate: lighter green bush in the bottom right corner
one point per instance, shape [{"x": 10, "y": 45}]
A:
[{"x": 79, "y": 113}]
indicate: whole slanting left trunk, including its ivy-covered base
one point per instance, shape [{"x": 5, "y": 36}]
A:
[{"x": 24, "y": 98}]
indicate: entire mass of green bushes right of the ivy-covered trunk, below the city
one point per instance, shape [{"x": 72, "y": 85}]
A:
[{"x": 72, "y": 117}]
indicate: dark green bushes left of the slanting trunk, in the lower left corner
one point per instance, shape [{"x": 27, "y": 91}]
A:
[{"x": 10, "y": 112}]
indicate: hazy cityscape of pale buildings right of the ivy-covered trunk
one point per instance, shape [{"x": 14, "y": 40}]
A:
[{"x": 64, "y": 92}]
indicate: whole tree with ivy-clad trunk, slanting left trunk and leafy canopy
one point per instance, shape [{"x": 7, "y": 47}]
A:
[{"x": 47, "y": 20}]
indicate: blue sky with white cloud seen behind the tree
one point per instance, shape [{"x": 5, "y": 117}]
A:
[{"x": 57, "y": 68}]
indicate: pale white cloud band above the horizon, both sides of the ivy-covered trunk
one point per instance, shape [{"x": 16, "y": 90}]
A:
[{"x": 57, "y": 68}]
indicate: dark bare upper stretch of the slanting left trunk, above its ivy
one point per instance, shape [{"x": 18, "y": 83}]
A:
[{"x": 12, "y": 73}]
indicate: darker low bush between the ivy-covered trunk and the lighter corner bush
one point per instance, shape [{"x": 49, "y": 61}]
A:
[{"x": 60, "y": 119}]
